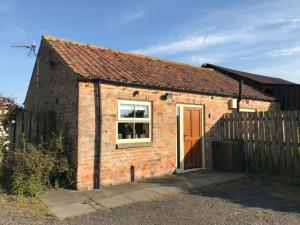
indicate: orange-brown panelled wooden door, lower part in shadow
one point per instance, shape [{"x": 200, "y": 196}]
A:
[{"x": 192, "y": 138}]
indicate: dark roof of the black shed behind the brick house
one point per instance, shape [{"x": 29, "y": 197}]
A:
[{"x": 254, "y": 77}]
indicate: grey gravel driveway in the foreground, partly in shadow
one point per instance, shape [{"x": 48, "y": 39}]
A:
[{"x": 249, "y": 201}]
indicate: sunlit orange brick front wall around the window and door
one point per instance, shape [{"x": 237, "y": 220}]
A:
[{"x": 156, "y": 160}]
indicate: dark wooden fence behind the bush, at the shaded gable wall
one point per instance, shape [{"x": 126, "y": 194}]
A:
[{"x": 34, "y": 126}]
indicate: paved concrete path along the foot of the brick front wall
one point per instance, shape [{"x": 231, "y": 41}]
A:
[{"x": 68, "y": 203}]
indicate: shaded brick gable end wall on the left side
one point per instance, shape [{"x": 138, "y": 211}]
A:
[{"x": 54, "y": 88}]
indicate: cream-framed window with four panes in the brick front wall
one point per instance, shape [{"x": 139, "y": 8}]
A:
[{"x": 134, "y": 121}]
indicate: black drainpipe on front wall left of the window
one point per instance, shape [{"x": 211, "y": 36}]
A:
[{"x": 99, "y": 138}]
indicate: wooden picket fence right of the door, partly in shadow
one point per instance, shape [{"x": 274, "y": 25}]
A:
[{"x": 271, "y": 139}]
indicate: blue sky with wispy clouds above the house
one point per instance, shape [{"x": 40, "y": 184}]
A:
[{"x": 256, "y": 36}]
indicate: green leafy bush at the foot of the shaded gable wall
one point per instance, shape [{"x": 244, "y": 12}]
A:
[{"x": 33, "y": 168}]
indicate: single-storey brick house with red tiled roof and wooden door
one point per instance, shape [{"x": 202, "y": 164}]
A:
[{"x": 119, "y": 110}]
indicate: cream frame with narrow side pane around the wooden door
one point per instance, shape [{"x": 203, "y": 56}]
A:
[{"x": 181, "y": 137}]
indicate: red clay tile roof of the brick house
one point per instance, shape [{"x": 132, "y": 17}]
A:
[{"x": 107, "y": 64}]
